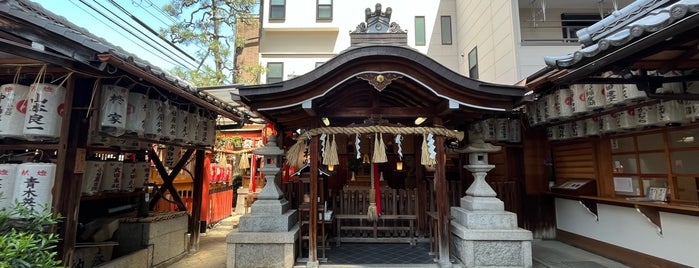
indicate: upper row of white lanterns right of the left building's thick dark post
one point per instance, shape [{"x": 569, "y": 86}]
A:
[{"x": 131, "y": 113}]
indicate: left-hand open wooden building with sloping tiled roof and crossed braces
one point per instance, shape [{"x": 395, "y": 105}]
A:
[{"x": 41, "y": 47}]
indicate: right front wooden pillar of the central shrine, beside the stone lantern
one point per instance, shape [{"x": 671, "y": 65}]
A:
[{"x": 442, "y": 202}]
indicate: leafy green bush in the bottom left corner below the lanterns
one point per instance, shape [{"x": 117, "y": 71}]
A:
[{"x": 26, "y": 239}]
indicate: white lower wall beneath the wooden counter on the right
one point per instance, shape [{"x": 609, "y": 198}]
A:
[{"x": 625, "y": 227}]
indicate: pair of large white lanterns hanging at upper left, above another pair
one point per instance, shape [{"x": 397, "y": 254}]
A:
[{"x": 31, "y": 112}]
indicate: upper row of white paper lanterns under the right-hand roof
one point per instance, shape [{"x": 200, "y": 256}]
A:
[{"x": 581, "y": 99}]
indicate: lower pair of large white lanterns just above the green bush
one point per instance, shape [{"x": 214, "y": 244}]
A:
[{"x": 29, "y": 183}]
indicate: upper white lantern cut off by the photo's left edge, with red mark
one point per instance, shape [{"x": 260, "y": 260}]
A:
[{"x": 13, "y": 108}]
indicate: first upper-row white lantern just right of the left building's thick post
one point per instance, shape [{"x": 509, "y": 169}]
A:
[{"x": 115, "y": 100}]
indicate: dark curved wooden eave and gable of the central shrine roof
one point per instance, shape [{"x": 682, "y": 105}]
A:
[{"x": 424, "y": 88}]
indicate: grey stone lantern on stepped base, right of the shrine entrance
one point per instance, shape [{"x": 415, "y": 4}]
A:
[{"x": 483, "y": 233}]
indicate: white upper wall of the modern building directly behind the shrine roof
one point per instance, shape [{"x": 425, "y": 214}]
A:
[{"x": 299, "y": 41}]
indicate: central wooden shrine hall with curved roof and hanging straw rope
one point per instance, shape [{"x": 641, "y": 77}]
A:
[{"x": 366, "y": 96}]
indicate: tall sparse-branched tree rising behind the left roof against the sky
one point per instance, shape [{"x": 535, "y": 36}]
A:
[{"x": 209, "y": 25}]
